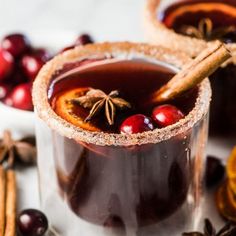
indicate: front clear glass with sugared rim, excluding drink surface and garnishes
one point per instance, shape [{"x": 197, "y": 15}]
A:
[{"x": 96, "y": 183}]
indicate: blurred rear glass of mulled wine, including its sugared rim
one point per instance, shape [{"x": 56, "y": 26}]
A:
[{"x": 190, "y": 26}]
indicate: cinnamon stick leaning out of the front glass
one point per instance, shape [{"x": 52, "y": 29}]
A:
[{"x": 193, "y": 73}]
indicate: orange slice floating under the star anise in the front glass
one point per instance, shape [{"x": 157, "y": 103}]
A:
[{"x": 65, "y": 109}]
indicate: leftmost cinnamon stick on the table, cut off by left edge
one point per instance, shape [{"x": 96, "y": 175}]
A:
[{"x": 2, "y": 200}]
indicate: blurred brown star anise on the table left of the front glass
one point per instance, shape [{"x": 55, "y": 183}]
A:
[{"x": 23, "y": 150}]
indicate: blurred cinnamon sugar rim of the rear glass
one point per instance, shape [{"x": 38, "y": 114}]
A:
[{"x": 158, "y": 33}]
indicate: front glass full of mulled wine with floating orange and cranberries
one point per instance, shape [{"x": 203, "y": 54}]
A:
[{"x": 109, "y": 182}]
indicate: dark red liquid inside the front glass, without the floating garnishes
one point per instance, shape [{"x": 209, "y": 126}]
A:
[{"x": 132, "y": 186}]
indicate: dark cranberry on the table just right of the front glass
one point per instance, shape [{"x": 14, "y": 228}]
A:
[{"x": 215, "y": 171}]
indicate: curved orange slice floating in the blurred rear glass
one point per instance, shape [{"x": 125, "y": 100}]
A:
[{"x": 205, "y": 7}]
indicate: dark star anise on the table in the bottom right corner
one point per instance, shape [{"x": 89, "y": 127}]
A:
[{"x": 209, "y": 230}]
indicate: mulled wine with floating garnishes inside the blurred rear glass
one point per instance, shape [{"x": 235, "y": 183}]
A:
[{"x": 210, "y": 20}]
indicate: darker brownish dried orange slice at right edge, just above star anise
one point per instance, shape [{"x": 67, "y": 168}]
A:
[{"x": 225, "y": 204}]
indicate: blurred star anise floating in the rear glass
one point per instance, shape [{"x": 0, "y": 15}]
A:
[{"x": 206, "y": 31}]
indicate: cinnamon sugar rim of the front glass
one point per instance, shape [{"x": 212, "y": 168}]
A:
[{"x": 126, "y": 50}]
